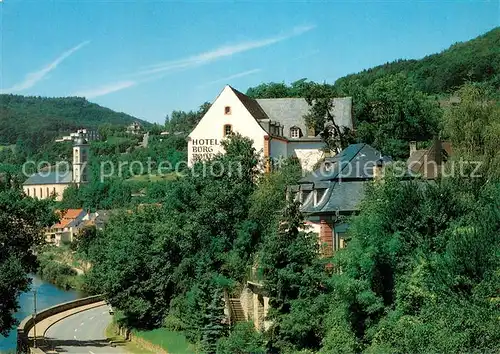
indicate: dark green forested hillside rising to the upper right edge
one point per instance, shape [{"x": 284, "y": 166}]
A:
[{"x": 477, "y": 60}]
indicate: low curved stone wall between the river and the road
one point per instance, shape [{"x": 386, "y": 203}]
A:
[{"x": 25, "y": 326}]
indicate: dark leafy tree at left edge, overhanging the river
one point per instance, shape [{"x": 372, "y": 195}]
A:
[{"x": 22, "y": 221}]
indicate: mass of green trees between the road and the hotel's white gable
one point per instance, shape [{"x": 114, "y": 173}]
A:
[{"x": 169, "y": 264}]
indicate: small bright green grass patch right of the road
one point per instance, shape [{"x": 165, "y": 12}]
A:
[{"x": 171, "y": 341}]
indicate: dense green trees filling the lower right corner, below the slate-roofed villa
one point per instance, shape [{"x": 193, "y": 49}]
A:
[{"x": 420, "y": 273}]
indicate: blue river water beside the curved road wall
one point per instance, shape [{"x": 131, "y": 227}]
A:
[{"x": 47, "y": 295}]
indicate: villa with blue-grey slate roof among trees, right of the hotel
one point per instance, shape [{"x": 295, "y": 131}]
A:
[{"x": 335, "y": 190}]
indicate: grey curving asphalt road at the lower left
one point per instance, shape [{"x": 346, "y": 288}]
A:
[{"x": 83, "y": 332}]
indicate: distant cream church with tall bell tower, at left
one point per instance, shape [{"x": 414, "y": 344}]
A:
[{"x": 45, "y": 184}]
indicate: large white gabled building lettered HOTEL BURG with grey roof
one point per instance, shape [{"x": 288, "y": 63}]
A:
[{"x": 276, "y": 126}]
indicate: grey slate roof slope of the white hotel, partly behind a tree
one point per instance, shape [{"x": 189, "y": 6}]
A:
[{"x": 290, "y": 112}]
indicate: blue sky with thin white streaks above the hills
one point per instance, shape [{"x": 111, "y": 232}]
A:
[{"x": 147, "y": 58}]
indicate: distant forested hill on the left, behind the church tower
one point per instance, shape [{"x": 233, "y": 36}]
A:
[{"x": 38, "y": 119}]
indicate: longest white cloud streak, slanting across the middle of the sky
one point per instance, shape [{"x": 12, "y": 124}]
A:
[{"x": 225, "y": 51}]
